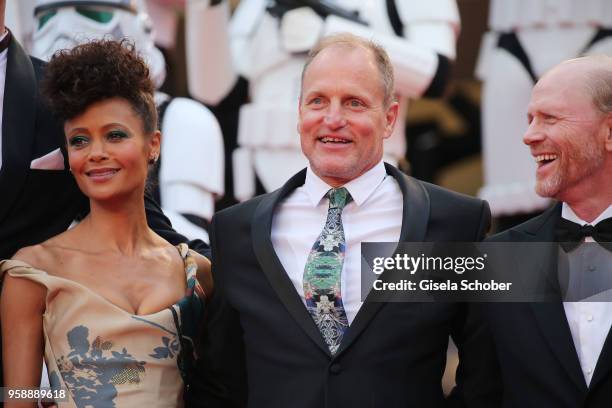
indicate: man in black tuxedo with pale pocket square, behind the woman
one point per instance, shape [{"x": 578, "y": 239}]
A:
[{"x": 38, "y": 196}]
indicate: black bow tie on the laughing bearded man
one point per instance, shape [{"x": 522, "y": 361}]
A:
[{"x": 570, "y": 235}]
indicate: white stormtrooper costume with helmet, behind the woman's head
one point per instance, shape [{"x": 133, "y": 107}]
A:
[{"x": 191, "y": 168}]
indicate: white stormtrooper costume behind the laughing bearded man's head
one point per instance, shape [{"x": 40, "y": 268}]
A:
[{"x": 527, "y": 38}]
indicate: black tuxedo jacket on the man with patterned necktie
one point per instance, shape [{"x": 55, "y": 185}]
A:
[{"x": 263, "y": 346}]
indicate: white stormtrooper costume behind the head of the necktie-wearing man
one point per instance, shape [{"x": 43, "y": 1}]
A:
[{"x": 268, "y": 49}]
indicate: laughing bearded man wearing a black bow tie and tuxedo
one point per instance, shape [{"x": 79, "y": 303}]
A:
[{"x": 559, "y": 354}]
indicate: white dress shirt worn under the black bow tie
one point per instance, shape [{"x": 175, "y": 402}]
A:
[{"x": 589, "y": 322}]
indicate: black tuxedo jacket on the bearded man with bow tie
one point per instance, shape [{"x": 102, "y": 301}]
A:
[{"x": 539, "y": 363}]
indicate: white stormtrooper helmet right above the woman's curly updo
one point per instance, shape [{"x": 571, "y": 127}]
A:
[{"x": 65, "y": 24}]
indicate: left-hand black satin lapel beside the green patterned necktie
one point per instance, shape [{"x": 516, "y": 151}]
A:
[{"x": 271, "y": 265}]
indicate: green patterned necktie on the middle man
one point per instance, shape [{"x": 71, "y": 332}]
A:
[{"x": 322, "y": 273}]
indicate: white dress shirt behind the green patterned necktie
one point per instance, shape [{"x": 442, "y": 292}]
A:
[{"x": 374, "y": 215}]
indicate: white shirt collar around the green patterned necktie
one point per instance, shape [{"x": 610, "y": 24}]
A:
[{"x": 360, "y": 188}]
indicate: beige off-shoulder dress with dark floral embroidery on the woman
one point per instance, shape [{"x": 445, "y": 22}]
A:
[{"x": 107, "y": 357}]
